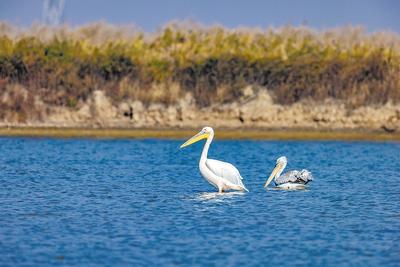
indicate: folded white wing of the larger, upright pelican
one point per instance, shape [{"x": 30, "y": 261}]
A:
[{"x": 225, "y": 170}]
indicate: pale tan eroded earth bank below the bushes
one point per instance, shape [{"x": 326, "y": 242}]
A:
[{"x": 252, "y": 110}]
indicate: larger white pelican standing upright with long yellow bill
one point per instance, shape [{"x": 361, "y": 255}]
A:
[{"x": 224, "y": 176}]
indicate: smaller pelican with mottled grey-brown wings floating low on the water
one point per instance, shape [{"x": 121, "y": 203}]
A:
[{"x": 289, "y": 180}]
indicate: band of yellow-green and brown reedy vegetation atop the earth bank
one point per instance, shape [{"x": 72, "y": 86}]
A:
[{"x": 64, "y": 65}]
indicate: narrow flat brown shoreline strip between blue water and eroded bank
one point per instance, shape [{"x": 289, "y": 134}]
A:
[{"x": 222, "y": 133}]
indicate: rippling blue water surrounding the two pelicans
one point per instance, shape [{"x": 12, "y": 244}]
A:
[{"x": 144, "y": 203}]
